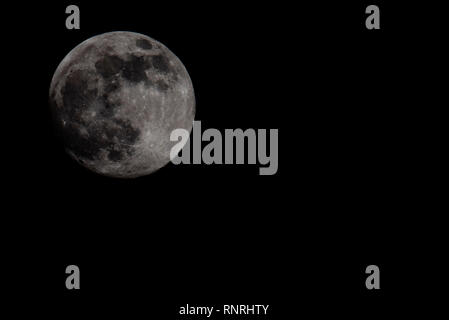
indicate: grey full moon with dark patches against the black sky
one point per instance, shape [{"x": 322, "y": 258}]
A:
[{"x": 116, "y": 98}]
